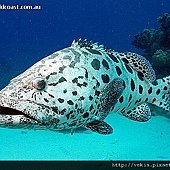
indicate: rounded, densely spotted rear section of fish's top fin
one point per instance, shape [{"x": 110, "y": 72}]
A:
[{"x": 140, "y": 64}]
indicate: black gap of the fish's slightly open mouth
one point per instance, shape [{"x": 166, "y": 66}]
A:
[{"x": 13, "y": 112}]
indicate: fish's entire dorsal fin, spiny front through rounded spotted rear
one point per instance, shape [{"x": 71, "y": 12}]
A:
[{"x": 135, "y": 61}]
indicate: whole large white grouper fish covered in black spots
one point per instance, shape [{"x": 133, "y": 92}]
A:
[{"x": 79, "y": 86}]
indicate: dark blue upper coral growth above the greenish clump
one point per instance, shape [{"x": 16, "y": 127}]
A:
[{"x": 150, "y": 40}]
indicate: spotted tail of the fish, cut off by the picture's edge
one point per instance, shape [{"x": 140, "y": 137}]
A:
[{"x": 161, "y": 96}]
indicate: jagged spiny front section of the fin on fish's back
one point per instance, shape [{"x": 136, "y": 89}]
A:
[{"x": 90, "y": 45}]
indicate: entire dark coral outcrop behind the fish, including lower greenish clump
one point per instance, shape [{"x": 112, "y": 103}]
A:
[{"x": 156, "y": 44}]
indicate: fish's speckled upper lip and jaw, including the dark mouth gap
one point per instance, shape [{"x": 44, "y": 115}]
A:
[{"x": 42, "y": 114}]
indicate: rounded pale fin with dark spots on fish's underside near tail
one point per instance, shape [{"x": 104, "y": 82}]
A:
[{"x": 140, "y": 113}]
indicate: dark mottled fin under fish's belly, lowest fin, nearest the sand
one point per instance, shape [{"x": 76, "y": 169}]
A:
[{"x": 100, "y": 127}]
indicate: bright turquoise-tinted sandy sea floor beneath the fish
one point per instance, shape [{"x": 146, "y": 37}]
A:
[{"x": 130, "y": 141}]
